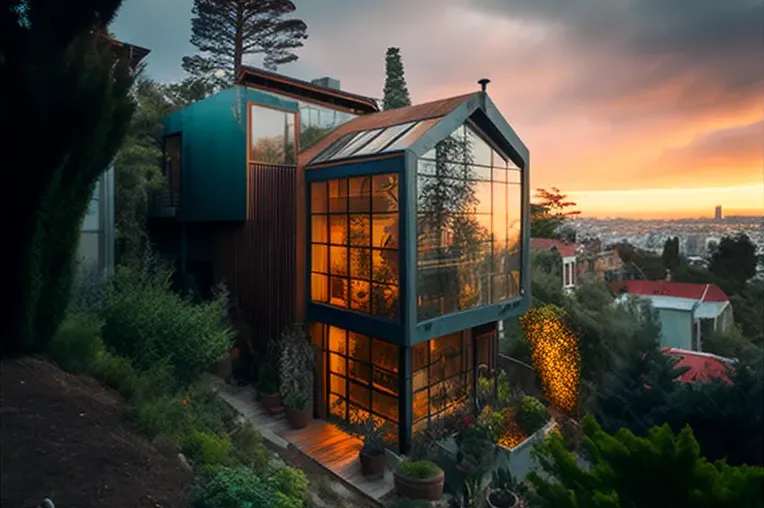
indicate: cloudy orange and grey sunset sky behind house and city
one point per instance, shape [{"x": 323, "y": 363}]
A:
[{"x": 635, "y": 108}]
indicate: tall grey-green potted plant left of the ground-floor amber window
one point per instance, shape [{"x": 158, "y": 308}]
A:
[{"x": 296, "y": 368}]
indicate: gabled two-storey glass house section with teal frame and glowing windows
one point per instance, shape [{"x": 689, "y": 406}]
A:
[{"x": 414, "y": 246}]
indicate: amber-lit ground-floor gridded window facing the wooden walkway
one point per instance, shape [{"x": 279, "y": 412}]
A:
[{"x": 362, "y": 377}]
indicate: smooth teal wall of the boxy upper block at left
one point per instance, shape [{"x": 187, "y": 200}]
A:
[{"x": 214, "y": 157}]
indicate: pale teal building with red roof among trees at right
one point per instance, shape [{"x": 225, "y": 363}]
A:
[{"x": 688, "y": 312}]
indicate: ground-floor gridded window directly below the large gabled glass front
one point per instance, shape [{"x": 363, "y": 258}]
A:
[{"x": 442, "y": 376}]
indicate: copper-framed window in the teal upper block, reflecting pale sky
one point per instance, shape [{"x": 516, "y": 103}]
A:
[{"x": 272, "y": 133}]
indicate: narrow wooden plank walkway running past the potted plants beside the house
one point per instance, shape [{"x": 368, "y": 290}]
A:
[{"x": 325, "y": 443}]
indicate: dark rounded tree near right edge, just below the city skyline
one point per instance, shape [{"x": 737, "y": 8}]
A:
[{"x": 734, "y": 261}]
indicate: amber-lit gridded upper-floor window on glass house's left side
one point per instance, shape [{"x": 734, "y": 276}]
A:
[{"x": 354, "y": 244}]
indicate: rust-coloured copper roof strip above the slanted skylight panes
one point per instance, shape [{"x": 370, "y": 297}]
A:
[{"x": 384, "y": 119}]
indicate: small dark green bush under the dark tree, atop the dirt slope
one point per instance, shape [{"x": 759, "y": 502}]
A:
[{"x": 77, "y": 343}]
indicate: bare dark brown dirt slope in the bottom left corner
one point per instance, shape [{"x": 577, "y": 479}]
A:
[{"x": 64, "y": 437}]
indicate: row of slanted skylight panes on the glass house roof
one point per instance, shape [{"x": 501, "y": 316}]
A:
[{"x": 376, "y": 141}]
